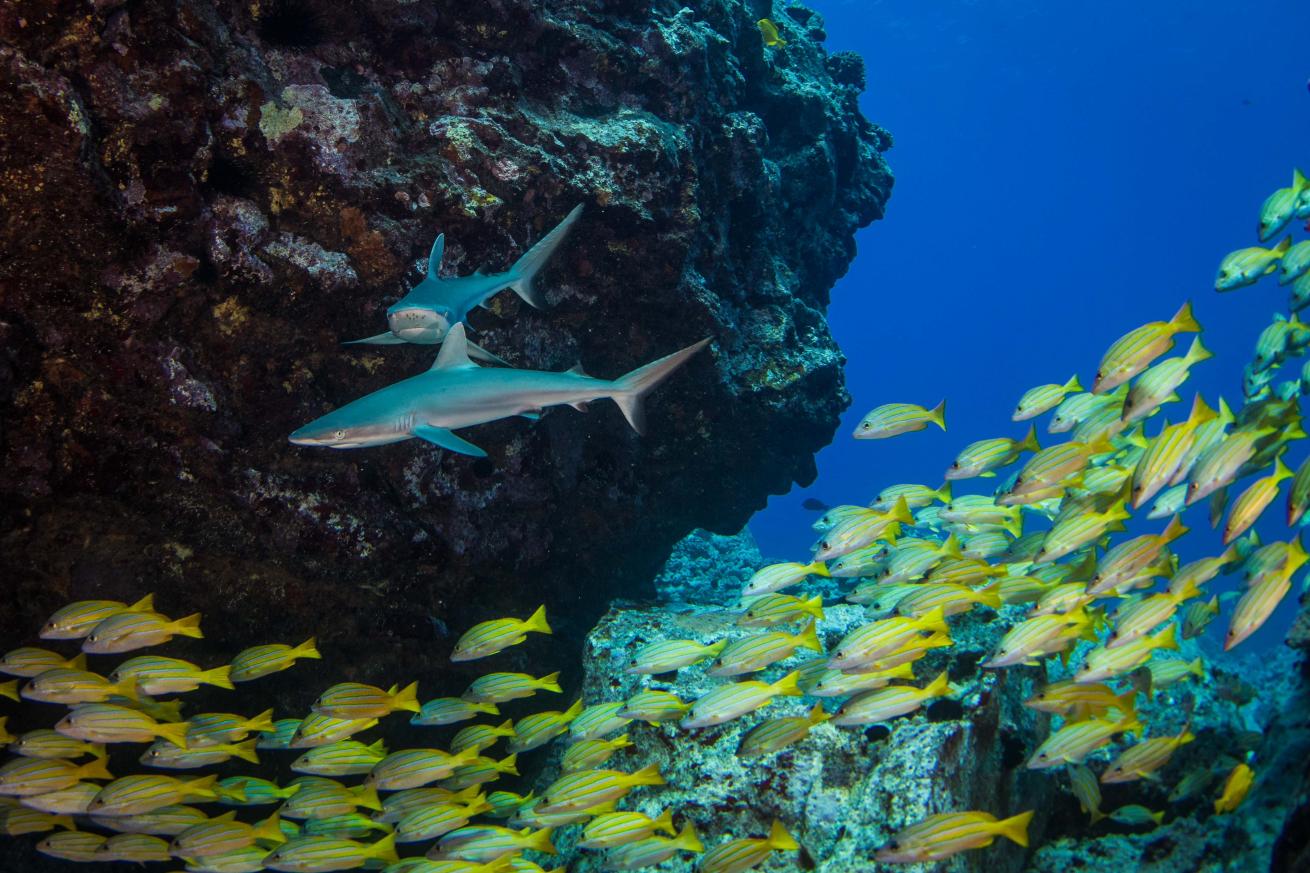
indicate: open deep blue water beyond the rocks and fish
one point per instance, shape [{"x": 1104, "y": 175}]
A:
[{"x": 1064, "y": 172}]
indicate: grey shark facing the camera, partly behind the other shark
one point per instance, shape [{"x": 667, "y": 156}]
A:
[{"x": 425, "y": 315}]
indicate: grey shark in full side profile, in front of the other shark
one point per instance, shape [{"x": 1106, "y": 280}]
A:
[{"x": 457, "y": 393}]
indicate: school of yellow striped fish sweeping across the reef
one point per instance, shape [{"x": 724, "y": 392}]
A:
[{"x": 916, "y": 556}]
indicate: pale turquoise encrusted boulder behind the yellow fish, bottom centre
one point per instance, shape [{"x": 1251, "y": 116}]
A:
[{"x": 842, "y": 791}]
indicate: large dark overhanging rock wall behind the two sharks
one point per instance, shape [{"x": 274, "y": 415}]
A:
[{"x": 205, "y": 199}]
